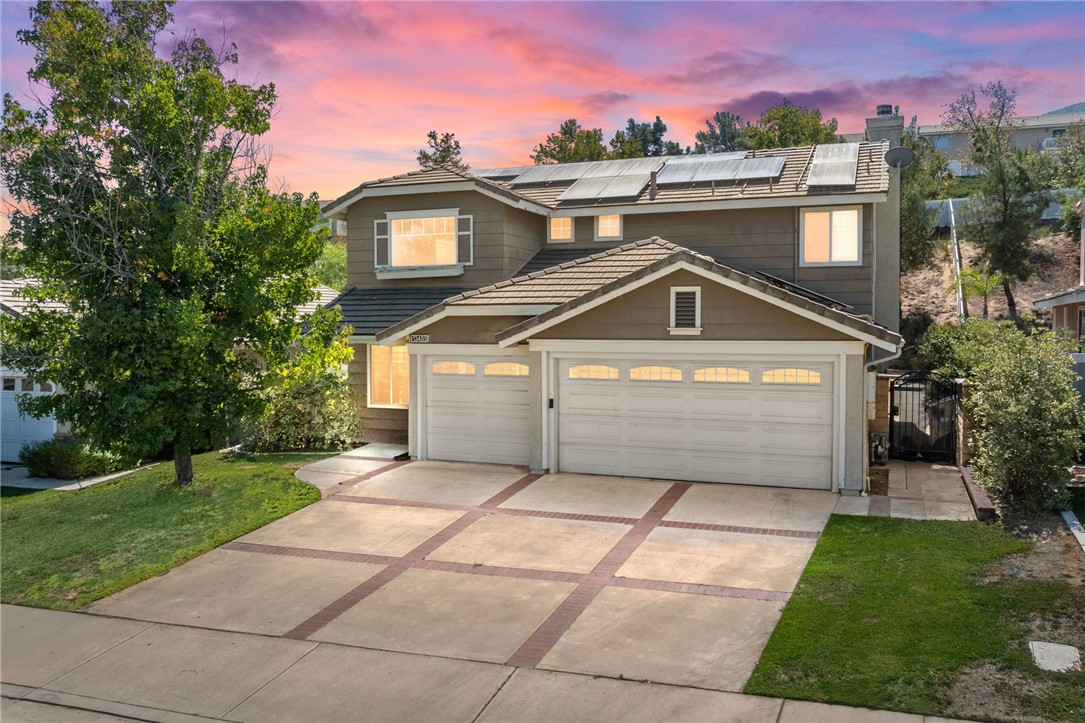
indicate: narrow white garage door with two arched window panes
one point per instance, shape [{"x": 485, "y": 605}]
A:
[{"x": 479, "y": 410}]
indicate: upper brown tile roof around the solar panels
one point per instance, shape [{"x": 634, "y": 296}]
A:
[{"x": 872, "y": 177}]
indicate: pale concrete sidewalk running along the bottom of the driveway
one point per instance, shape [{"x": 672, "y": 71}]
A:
[{"x": 80, "y": 667}]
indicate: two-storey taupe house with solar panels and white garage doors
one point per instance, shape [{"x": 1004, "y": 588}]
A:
[{"x": 712, "y": 319}]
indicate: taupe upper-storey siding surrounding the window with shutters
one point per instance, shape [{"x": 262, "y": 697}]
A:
[{"x": 504, "y": 238}]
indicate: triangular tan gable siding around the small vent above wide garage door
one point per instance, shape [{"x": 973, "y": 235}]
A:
[{"x": 726, "y": 315}]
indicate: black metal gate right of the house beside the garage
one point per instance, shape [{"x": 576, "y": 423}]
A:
[{"x": 923, "y": 423}]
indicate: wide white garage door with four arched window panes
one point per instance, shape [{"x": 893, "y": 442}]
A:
[{"x": 745, "y": 423}]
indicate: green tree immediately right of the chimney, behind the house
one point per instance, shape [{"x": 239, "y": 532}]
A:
[{"x": 923, "y": 181}]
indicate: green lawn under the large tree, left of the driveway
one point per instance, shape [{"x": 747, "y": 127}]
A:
[{"x": 65, "y": 550}]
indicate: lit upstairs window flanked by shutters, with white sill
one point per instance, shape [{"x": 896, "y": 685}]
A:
[{"x": 424, "y": 239}]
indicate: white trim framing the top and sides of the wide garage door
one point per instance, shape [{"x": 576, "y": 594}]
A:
[{"x": 832, "y": 364}]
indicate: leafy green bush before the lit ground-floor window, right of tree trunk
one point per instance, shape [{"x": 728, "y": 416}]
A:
[{"x": 313, "y": 407}]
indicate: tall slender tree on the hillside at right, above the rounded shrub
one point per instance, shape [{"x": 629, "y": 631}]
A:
[{"x": 1011, "y": 195}]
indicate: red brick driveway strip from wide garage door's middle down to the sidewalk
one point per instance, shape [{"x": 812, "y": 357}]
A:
[{"x": 546, "y": 637}]
